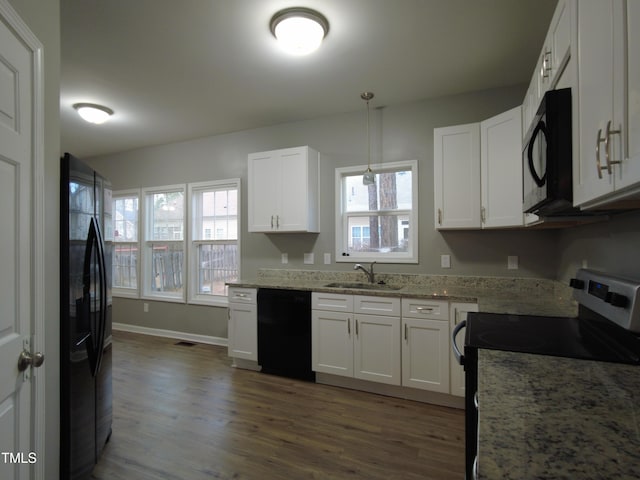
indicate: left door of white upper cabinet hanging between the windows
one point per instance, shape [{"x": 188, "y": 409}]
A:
[{"x": 264, "y": 185}]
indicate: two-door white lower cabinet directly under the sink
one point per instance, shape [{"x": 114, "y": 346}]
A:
[{"x": 356, "y": 344}]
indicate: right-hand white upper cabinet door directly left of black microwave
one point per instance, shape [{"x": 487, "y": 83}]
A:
[{"x": 501, "y": 169}]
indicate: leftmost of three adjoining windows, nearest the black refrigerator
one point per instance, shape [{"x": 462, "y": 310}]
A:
[{"x": 125, "y": 243}]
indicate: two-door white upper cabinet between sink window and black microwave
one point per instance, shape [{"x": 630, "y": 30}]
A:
[{"x": 478, "y": 173}]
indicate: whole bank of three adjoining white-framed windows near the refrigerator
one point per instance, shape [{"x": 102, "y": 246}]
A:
[{"x": 188, "y": 246}]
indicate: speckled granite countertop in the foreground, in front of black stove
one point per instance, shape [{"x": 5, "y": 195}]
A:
[{"x": 543, "y": 417}]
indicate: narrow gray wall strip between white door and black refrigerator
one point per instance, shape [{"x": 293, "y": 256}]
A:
[{"x": 43, "y": 18}]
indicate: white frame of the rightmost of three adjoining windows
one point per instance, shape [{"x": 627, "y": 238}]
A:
[{"x": 192, "y": 244}]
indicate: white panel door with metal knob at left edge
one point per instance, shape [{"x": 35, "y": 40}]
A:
[{"x": 16, "y": 215}]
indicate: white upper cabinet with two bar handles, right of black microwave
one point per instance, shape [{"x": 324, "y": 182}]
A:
[{"x": 606, "y": 167}]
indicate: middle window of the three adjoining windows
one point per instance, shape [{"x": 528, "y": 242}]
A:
[{"x": 164, "y": 211}]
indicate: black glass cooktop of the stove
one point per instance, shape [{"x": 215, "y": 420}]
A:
[{"x": 583, "y": 338}]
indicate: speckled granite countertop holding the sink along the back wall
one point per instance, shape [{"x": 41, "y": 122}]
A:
[{"x": 526, "y": 296}]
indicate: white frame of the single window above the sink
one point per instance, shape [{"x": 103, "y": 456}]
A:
[{"x": 342, "y": 217}]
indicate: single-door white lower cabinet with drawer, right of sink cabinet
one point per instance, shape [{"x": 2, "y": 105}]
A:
[{"x": 425, "y": 344}]
